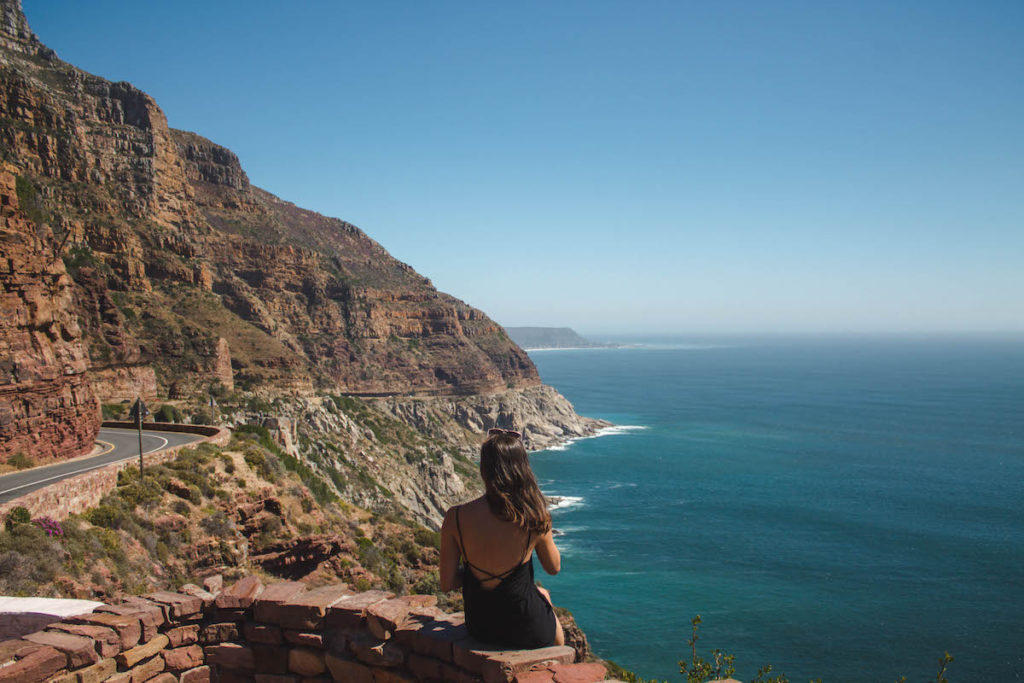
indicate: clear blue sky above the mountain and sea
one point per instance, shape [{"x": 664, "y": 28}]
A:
[{"x": 706, "y": 166}]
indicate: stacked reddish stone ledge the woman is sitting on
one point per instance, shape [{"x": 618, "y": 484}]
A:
[{"x": 282, "y": 633}]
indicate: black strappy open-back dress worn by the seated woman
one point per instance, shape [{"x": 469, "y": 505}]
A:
[{"x": 514, "y": 614}]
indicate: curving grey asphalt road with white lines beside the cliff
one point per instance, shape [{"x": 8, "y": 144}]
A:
[{"x": 119, "y": 445}]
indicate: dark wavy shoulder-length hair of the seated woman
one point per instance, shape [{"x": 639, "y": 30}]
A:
[{"x": 511, "y": 488}]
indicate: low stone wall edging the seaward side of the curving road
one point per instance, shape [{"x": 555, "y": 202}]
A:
[{"x": 78, "y": 494}]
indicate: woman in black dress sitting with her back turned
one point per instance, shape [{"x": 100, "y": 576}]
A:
[{"x": 495, "y": 536}]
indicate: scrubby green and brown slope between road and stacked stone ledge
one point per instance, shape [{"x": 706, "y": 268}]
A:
[{"x": 234, "y": 511}]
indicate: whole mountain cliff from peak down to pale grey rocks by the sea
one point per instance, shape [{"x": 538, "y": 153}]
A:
[{"x": 189, "y": 282}]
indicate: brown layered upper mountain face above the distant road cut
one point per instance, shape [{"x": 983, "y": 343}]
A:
[{"x": 176, "y": 255}]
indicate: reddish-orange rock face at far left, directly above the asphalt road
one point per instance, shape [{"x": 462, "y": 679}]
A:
[{"x": 48, "y": 409}]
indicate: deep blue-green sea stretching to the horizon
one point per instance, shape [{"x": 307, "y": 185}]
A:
[{"x": 844, "y": 508}]
